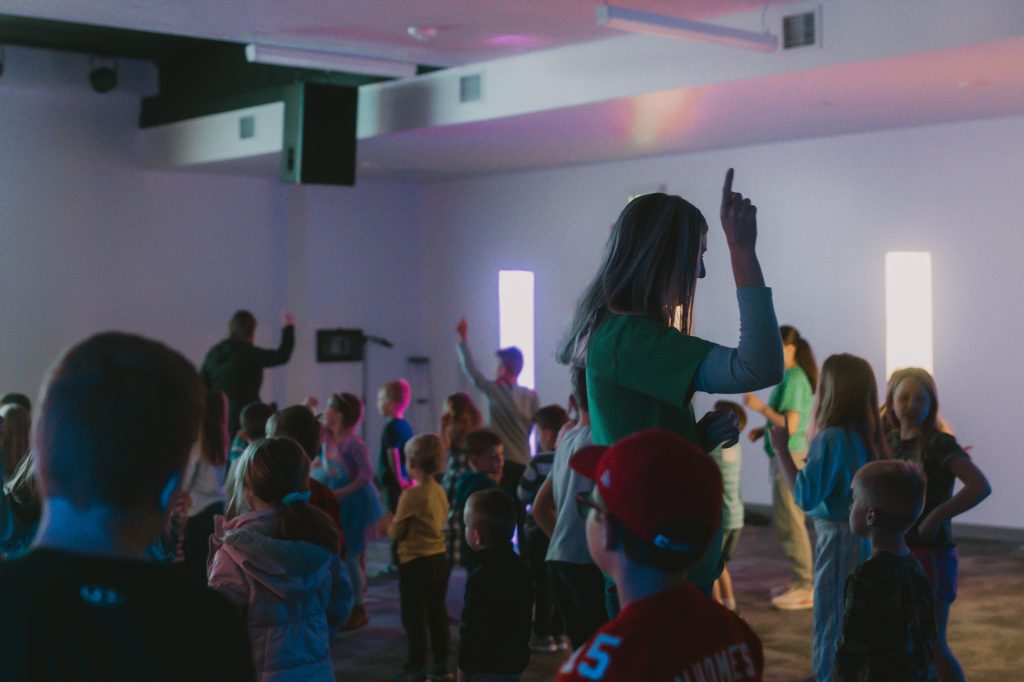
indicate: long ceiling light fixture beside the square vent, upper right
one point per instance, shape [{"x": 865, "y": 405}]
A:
[{"x": 635, "y": 21}]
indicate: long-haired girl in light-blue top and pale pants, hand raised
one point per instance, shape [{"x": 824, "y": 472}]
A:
[{"x": 848, "y": 437}]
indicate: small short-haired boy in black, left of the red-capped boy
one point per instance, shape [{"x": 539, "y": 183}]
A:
[{"x": 499, "y": 604}]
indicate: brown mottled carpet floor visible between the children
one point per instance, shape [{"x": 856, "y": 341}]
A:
[{"x": 987, "y": 626}]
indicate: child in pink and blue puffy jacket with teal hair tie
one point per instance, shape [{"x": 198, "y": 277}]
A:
[{"x": 280, "y": 565}]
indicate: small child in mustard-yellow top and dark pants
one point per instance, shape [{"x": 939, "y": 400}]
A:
[{"x": 418, "y": 528}]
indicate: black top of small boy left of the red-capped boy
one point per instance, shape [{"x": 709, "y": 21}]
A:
[{"x": 498, "y": 614}]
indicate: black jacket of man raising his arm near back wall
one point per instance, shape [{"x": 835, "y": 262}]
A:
[{"x": 237, "y": 369}]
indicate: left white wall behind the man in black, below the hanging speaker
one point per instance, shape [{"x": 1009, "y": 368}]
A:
[{"x": 91, "y": 241}]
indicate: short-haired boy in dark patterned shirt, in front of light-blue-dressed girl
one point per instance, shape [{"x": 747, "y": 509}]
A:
[{"x": 889, "y": 632}]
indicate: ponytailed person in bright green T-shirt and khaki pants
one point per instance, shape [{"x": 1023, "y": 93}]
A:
[{"x": 790, "y": 406}]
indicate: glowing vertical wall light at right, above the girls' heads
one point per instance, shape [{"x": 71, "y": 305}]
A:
[{"x": 909, "y": 311}]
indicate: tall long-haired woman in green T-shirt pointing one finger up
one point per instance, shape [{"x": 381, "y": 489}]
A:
[{"x": 632, "y": 330}]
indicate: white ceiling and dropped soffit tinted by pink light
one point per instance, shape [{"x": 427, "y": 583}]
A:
[{"x": 881, "y": 65}]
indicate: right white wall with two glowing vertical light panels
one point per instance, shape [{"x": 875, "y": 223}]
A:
[{"x": 829, "y": 211}]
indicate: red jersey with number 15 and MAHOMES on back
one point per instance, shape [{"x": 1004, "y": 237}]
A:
[{"x": 675, "y": 636}]
